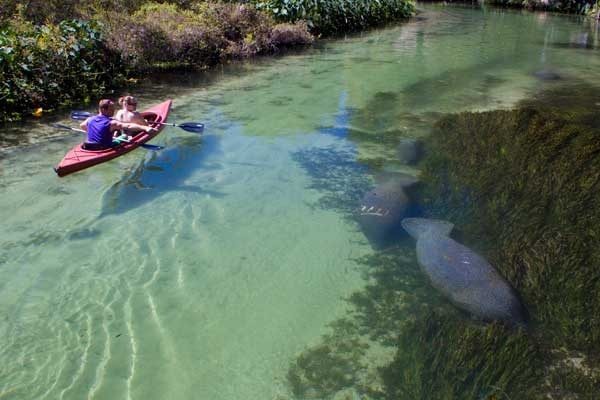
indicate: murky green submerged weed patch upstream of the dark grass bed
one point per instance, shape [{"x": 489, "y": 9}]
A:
[{"x": 398, "y": 117}]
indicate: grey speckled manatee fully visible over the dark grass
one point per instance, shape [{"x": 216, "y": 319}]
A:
[{"x": 465, "y": 277}]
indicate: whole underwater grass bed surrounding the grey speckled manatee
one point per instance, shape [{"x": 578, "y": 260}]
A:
[{"x": 522, "y": 188}]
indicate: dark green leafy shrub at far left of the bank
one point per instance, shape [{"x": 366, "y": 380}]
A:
[{"x": 50, "y": 65}]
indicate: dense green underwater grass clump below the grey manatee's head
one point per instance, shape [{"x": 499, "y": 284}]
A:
[{"x": 440, "y": 357}]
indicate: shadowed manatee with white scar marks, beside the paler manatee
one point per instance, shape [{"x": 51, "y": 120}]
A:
[{"x": 382, "y": 209}]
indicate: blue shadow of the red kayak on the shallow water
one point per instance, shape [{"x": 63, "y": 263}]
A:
[{"x": 166, "y": 171}]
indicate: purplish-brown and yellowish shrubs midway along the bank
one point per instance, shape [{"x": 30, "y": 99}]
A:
[{"x": 201, "y": 36}]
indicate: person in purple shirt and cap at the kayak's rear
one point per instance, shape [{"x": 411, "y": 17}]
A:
[{"x": 100, "y": 128}]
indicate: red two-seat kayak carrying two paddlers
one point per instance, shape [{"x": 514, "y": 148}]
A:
[{"x": 78, "y": 158}]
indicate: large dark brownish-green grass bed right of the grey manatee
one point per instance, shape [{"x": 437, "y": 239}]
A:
[{"x": 531, "y": 176}]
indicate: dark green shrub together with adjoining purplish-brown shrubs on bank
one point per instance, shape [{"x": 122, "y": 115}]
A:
[{"x": 48, "y": 65}]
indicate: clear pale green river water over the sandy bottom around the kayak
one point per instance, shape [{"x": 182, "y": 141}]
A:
[{"x": 202, "y": 270}]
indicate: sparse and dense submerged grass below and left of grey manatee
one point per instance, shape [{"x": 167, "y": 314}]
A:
[{"x": 402, "y": 340}]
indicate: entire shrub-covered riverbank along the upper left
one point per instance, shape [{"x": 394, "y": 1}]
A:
[{"x": 79, "y": 54}]
